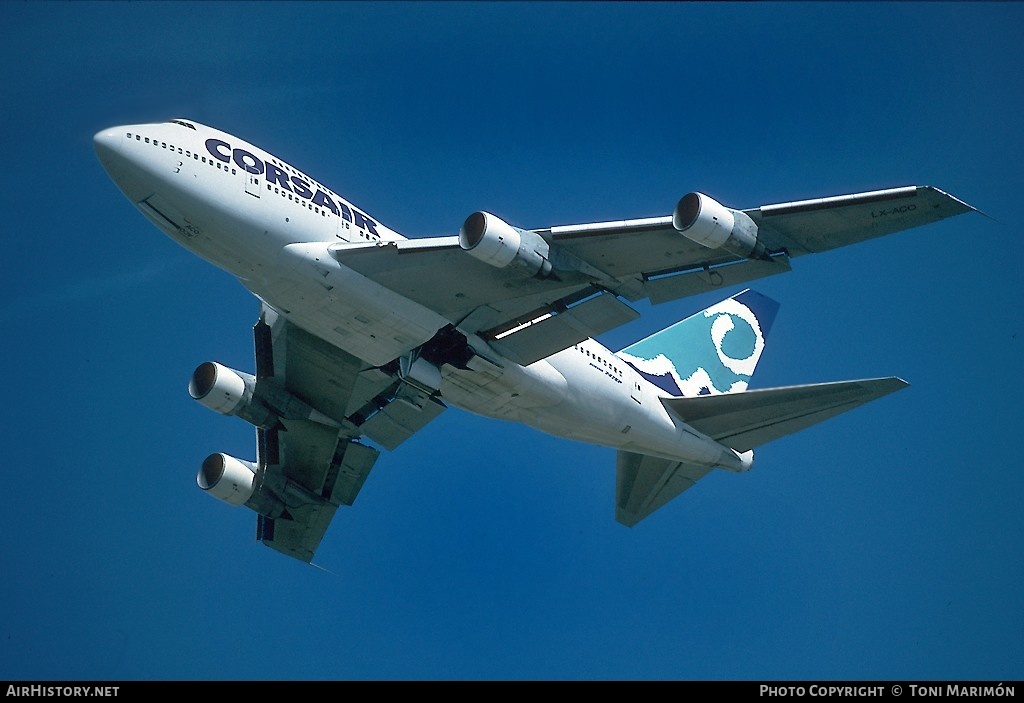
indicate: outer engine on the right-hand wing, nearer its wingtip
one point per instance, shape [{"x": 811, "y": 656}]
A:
[{"x": 711, "y": 225}]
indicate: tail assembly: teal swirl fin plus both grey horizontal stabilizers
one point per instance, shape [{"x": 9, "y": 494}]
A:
[{"x": 703, "y": 367}]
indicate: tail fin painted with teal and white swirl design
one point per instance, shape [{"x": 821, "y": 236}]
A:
[{"x": 712, "y": 353}]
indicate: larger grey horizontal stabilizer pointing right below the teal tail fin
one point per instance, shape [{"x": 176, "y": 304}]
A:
[{"x": 745, "y": 421}]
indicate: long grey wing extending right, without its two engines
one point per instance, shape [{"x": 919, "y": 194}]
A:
[{"x": 598, "y": 269}]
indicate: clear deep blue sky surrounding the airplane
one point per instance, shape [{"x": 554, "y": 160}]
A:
[{"x": 885, "y": 544}]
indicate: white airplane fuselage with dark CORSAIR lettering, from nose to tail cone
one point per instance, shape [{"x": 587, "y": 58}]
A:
[{"x": 270, "y": 226}]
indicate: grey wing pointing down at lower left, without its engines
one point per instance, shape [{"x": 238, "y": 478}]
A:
[{"x": 310, "y": 460}]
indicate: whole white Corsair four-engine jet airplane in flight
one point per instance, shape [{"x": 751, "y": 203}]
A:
[{"x": 365, "y": 336}]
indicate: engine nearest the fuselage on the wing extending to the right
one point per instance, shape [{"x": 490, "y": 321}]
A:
[{"x": 496, "y": 243}]
